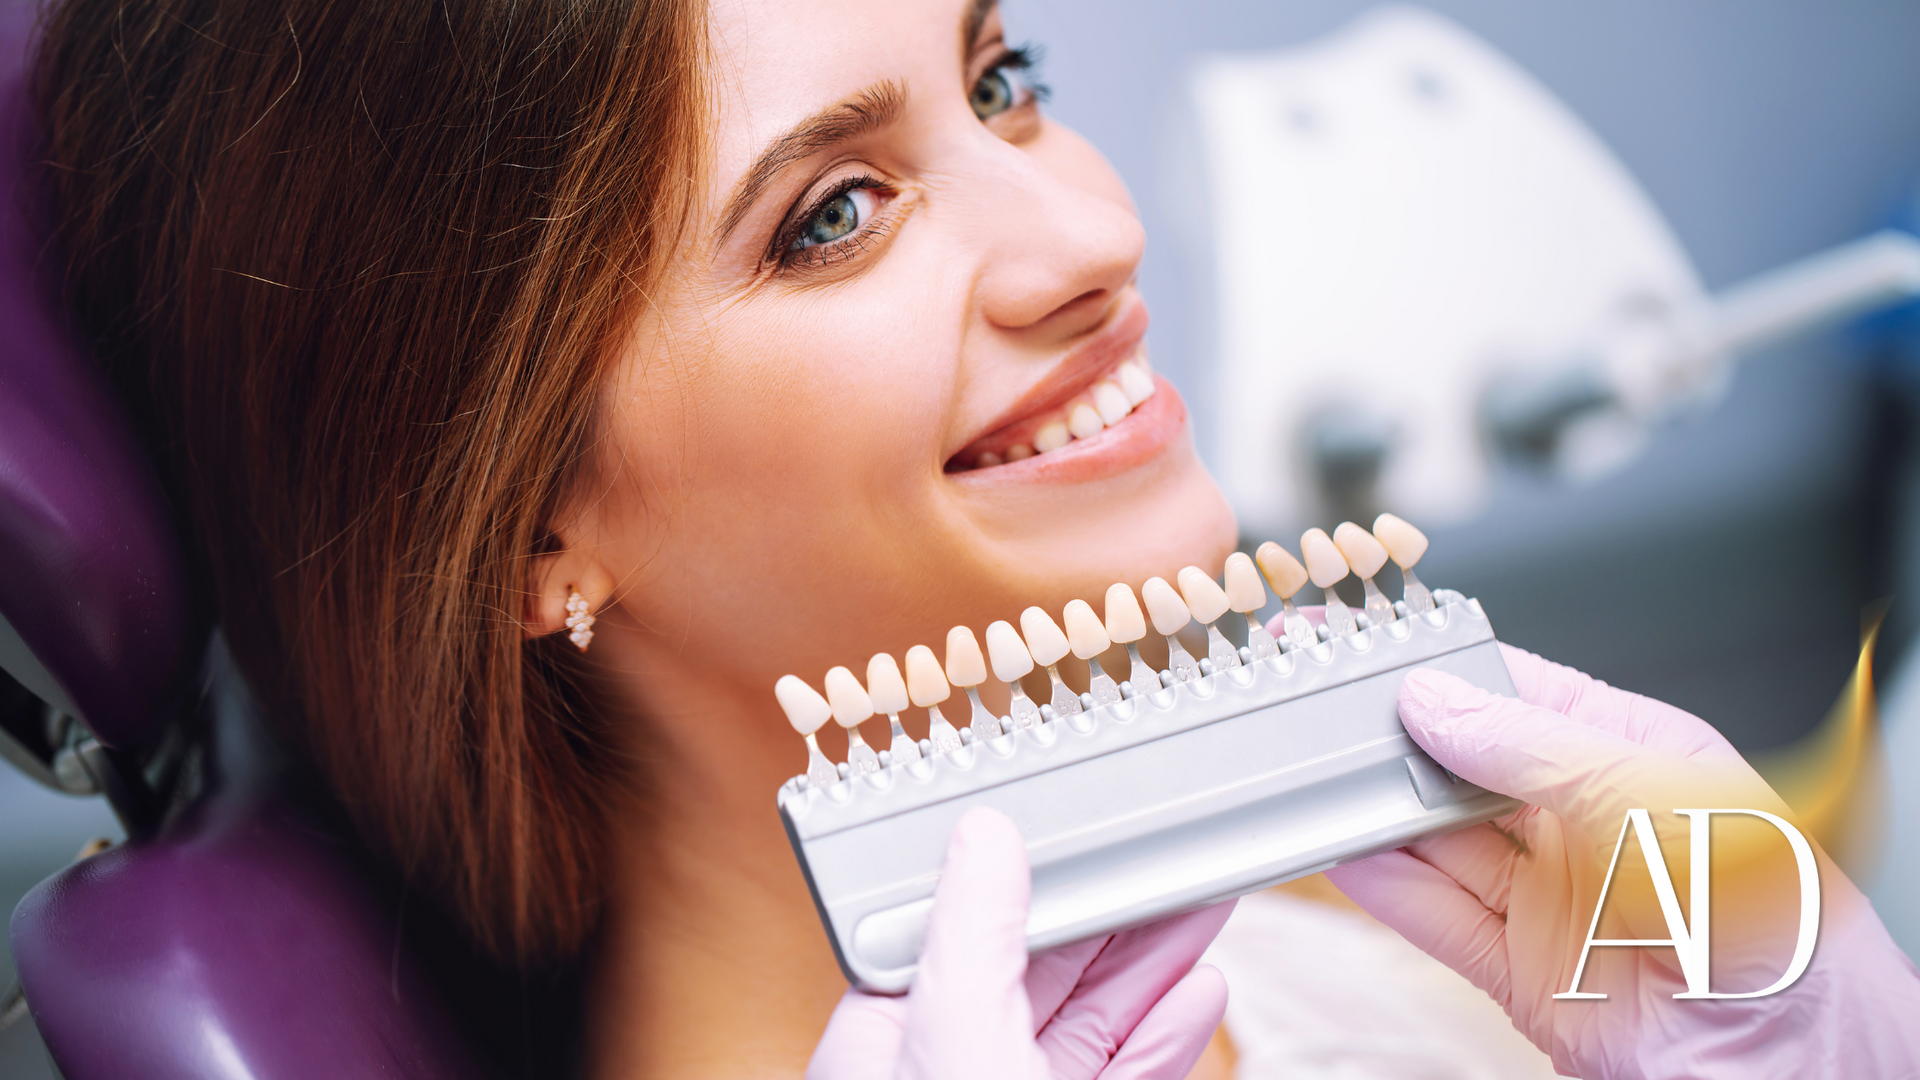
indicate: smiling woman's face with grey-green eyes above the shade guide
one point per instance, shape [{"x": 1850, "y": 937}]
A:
[{"x": 901, "y": 276}]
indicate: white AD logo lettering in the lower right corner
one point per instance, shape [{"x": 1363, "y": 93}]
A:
[{"x": 1691, "y": 939}]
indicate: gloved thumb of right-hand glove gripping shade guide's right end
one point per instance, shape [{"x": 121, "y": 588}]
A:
[{"x": 1581, "y": 773}]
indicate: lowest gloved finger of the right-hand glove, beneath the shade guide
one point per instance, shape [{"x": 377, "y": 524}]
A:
[{"x": 1435, "y": 914}]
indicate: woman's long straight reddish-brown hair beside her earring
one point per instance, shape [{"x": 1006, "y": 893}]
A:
[{"x": 362, "y": 266}]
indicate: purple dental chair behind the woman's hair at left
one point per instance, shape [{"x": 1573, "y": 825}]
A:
[{"x": 241, "y": 933}]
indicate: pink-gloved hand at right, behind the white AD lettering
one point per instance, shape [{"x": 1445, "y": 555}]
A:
[{"x": 1508, "y": 904}]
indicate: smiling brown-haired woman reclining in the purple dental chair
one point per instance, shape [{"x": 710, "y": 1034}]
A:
[{"x": 738, "y": 326}]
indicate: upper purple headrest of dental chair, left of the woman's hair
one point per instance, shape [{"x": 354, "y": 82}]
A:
[{"x": 93, "y": 604}]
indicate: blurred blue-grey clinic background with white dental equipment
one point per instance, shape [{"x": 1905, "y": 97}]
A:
[{"x": 1353, "y": 347}]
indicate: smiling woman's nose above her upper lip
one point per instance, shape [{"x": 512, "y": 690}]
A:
[{"x": 1065, "y": 245}]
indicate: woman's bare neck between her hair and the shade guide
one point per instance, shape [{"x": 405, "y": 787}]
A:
[{"x": 711, "y": 962}]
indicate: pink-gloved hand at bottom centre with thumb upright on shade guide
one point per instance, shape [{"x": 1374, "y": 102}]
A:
[{"x": 1126, "y": 1006}]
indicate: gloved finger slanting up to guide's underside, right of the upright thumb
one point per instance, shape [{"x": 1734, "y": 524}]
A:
[{"x": 1122, "y": 985}]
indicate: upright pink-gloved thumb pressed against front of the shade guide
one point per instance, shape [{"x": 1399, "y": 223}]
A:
[{"x": 974, "y": 960}]
